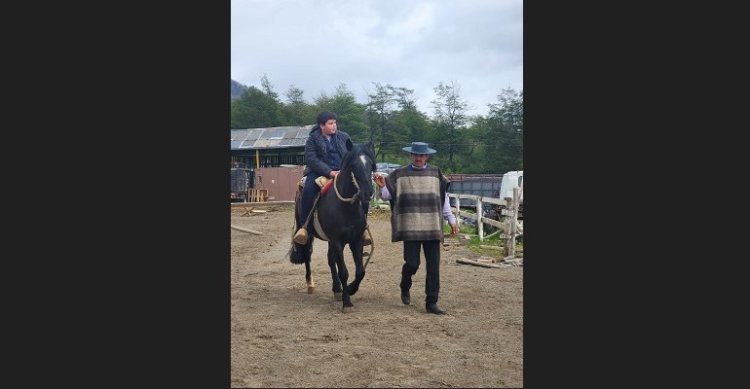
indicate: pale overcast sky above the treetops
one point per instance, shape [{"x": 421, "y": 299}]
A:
[{"x": 316, "y": 45}]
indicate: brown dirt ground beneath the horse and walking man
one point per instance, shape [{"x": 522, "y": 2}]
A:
[{"x": 281, "y": 336}]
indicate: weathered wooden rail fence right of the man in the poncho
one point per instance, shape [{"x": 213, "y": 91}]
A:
[{"x": 511, "y": 227}]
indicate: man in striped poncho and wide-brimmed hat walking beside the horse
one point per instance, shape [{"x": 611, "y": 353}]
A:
[{"x": 419, "y": 202}]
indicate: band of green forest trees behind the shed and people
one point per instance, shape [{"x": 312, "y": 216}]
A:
[{"x": 465, "y": 144}]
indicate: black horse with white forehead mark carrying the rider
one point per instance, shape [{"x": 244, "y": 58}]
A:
[{"x": 339, "y": 218}]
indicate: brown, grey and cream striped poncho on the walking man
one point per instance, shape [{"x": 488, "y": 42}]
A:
[{"x": 417, "y": 197}]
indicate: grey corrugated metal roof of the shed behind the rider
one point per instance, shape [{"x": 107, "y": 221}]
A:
[{"x": 270, "y": 137}]
